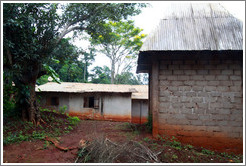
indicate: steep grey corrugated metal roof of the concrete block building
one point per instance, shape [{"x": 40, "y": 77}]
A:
[{"x": 196, "y": 27}]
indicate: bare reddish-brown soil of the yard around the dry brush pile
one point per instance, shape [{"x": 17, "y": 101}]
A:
[{"x": 169, "y": 151}]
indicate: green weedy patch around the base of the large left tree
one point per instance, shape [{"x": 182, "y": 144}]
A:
[{"x": 55, "y": 125}]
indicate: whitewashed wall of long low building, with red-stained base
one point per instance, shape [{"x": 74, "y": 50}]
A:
[{"x": 110, "y": 106}]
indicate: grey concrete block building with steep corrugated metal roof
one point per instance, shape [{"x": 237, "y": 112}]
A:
[{"x": 195, "y": 63}]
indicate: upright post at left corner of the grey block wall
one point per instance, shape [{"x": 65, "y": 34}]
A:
[{"x": 154, "y": 95}]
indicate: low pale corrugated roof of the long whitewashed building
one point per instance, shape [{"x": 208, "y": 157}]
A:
[{"x": 138, "y": 91}]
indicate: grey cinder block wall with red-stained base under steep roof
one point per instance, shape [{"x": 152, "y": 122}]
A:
[{"x": 201, "y": 102}]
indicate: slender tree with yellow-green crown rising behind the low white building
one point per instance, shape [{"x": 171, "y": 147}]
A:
[{"x": 119, "y": 41}]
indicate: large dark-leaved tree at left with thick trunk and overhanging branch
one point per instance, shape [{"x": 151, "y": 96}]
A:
[{"x": 32, "y": 31}]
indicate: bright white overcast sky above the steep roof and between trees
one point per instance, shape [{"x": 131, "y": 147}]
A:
[{"x": 150, "y": 16}]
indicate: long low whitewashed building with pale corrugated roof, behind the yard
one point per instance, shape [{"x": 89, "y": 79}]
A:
[{"x": 97, "y": 101}]
